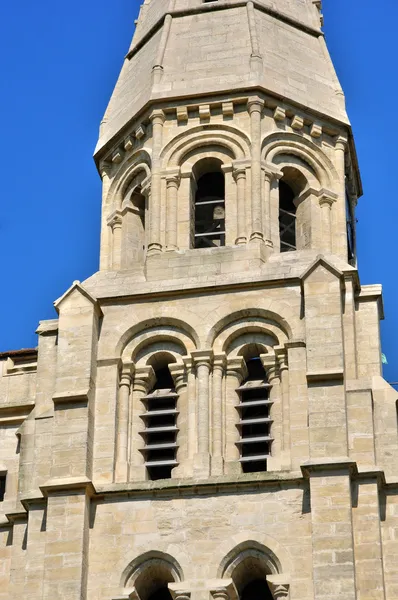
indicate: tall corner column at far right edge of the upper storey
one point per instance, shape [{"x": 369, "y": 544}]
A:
[{"x": 339, "y": 225}]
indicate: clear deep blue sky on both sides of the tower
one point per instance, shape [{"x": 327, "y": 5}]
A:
[{"x": 60, "y": 61}]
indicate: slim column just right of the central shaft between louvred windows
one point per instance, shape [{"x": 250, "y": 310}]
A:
[{"x": 217, "y": 461}]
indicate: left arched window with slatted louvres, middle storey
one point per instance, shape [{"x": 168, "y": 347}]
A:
[{"x": 160, "y": 433}]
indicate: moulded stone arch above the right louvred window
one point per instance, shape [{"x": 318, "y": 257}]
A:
[{"x": 250, "y": 320}]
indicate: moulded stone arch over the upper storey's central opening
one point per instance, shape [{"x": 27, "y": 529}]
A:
[{"x": 228, "y": 140}]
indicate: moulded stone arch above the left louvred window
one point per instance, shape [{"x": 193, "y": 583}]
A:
[{"x": 156, "y": 330}]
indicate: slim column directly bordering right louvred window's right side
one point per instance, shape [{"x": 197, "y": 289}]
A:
[{"x": 271, "y": 366}]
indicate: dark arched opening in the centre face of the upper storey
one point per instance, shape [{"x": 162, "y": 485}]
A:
[{"x": 210, "y": 211}]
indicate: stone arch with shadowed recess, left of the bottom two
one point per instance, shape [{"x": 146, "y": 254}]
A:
[{"x": 149, "y": 570}]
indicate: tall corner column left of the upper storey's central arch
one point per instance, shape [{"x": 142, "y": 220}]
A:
[{"x": 155, "y": 245}]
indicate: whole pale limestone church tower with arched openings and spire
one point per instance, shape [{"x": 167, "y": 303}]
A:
[{"x": 206, "y": 418}]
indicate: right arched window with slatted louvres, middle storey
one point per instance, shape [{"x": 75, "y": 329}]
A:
[{"x": 254, "y": 418}]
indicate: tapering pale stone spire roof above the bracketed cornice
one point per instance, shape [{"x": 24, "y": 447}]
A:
[{"x": 200, "y": 48}]
